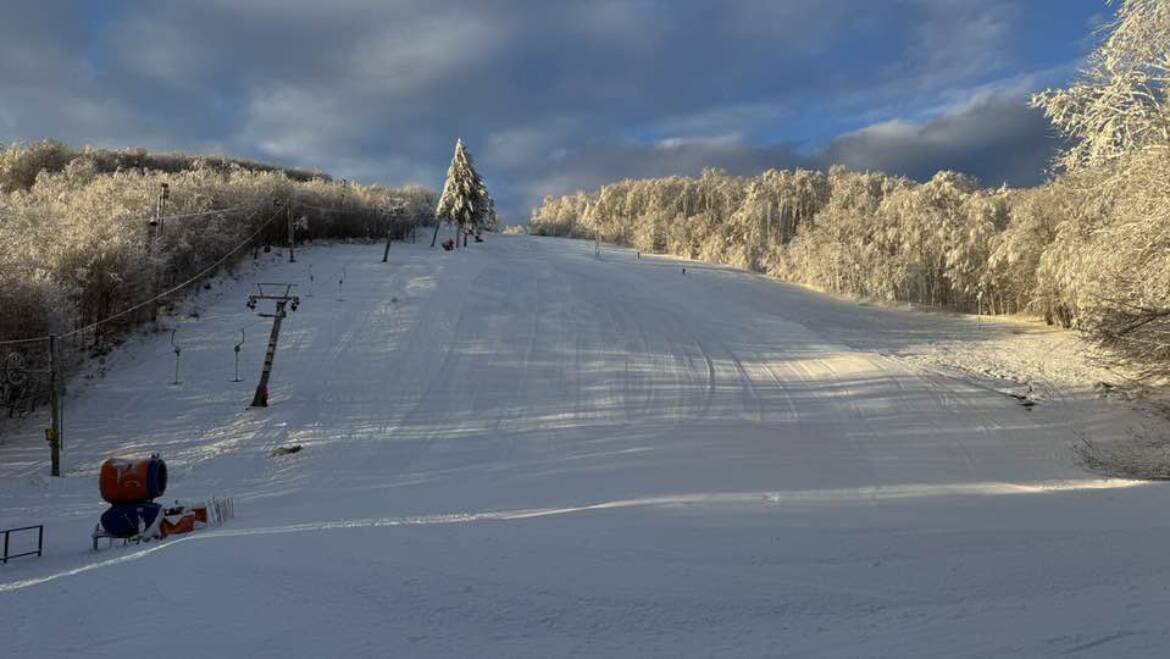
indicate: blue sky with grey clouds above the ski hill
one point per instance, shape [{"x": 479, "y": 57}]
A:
[{"x": 550, "y": 97}]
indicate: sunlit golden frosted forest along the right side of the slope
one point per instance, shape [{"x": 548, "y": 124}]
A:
[{"x": 1089, "y": 250}]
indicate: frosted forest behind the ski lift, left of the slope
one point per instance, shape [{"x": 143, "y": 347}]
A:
[{"x": 82, "y": 249}]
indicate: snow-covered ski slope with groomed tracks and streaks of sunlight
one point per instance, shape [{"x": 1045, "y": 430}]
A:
[{"x": 522, "y": 451}]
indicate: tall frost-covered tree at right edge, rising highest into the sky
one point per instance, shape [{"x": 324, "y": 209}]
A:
[{"x": 1110, "y": 265}]
